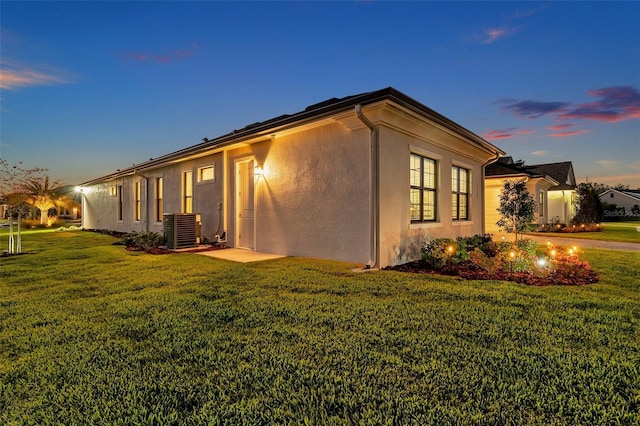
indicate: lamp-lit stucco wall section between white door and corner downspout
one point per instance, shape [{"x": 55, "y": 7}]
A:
[{"x": 313, "y": 198}]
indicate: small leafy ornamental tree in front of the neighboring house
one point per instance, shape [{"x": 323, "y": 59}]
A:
[{"x": 517, "y": 207}]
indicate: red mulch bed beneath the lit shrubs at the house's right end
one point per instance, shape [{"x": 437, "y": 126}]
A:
[{"x": 470, "y": 271}]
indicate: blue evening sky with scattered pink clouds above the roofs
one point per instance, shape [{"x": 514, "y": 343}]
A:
[{"x": 91, "y": 87}]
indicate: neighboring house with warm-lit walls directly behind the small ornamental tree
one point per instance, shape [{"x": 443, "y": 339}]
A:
[{"x": 537, "y": 184}]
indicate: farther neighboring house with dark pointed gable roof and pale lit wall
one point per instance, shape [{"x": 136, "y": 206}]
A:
[{"x": 563, "y": 196}]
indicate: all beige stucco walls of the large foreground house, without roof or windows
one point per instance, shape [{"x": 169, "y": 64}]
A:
[{"x": 313, "y": 199}]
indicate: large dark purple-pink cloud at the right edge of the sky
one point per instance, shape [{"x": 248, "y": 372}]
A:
[{"x": 613, "y": 104}]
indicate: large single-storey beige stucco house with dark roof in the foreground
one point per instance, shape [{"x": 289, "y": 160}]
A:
[{"x": 365, "y": 179}]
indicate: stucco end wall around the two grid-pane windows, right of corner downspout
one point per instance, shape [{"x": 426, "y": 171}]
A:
[{"x": 401, "y": 240}]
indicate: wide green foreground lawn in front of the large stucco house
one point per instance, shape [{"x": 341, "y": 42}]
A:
[{"x": 92, "y": 334}]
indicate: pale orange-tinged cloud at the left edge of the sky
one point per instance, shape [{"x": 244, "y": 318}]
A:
[{"x": 14, "y": 76}]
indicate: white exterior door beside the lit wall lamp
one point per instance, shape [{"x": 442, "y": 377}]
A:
[{"x": 245, "y": 222}]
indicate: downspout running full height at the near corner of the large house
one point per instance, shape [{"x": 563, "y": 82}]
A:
[{"x": 374, "y": 189}]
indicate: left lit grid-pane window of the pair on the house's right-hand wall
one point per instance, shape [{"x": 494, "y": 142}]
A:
[{"x": 423, "y": 188}]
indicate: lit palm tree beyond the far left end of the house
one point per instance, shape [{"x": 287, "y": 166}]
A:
[{"x": 44, "y": 195}]
